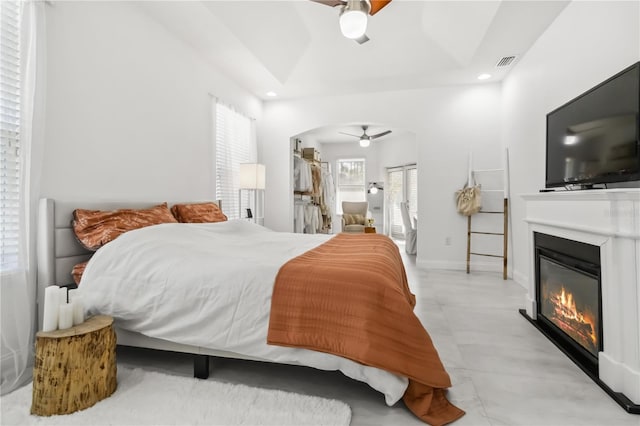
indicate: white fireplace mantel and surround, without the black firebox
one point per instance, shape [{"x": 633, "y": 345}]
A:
[{"x": 609, "y": 219}]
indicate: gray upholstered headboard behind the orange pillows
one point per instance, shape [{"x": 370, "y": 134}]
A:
[{"x": 58, "y": 250}]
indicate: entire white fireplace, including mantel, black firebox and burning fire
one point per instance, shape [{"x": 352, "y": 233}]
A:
[{"x": 583, "y": 282}]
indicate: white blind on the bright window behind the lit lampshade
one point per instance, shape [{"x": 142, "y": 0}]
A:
[{"x": 235, "y": 143}]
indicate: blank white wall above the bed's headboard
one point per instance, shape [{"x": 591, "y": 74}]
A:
[{"x": 127, "y": 107}]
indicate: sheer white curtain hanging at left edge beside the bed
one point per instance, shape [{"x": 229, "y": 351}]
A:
[{"x": 18, "y": 286}]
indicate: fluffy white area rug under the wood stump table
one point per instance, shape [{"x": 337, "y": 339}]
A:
[{"x": 149, "y": 398}]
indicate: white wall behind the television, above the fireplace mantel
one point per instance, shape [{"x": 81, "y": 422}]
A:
[{"x": 588, "y": 43}]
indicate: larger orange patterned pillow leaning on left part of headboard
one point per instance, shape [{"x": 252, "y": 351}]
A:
[{"x": 95, "y": 228}]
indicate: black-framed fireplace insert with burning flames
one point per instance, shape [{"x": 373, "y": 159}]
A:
[{"x": 568, "y": 296}]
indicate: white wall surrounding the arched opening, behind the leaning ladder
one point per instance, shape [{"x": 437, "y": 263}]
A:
[{"x": 447, "y": 122}]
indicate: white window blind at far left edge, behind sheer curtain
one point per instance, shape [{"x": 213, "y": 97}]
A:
[{"x": 9, "y": 134}]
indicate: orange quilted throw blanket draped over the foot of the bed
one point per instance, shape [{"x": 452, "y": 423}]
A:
[{"x": 350, "y": 297}]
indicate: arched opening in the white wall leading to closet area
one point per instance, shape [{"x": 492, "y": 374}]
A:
[{"x": 335, "y": 149}]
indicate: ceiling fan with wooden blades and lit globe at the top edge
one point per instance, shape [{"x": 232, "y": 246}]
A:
[{"x": 353, "y": 15}]
